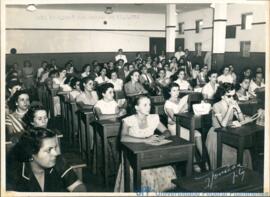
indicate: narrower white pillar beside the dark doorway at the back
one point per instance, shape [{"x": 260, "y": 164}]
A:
[{"x": 171, "y": 21}]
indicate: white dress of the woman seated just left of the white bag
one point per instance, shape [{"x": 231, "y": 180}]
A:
[{"x": 182, "y": 106}]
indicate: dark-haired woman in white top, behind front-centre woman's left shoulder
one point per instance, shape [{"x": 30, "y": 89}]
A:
[{"x": 107, "y": 107}]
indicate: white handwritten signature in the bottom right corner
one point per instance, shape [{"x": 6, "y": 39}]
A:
[{"x": 235, "y": 171}]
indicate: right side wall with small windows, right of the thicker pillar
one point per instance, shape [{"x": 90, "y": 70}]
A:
[{"x": 257, "y": 36}]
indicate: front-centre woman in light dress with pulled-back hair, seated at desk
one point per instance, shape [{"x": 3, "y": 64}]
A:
[{"x": 139, "y": 128}]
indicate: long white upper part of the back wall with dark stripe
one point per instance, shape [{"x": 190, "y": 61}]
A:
[{"x": 74, "y": 30}]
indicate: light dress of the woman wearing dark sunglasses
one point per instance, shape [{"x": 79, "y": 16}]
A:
[{"x": 229, "y": 154}]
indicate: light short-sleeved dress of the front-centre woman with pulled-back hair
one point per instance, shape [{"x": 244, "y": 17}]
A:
[{"x": 157, "y": 179}]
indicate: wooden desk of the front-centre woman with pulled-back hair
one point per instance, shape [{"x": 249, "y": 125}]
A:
[{"x": 141, "y": 155}]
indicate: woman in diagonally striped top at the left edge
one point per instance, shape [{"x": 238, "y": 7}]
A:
[{"x": 19, "y": 104}]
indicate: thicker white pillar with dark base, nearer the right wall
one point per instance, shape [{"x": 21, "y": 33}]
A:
[{"x": 219, "y": 35}]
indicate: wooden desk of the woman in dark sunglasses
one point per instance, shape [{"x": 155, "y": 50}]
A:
[{"x": 240, "y": 138}]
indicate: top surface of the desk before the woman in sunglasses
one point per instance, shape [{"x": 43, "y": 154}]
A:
[{"x": 242, "y": 131}]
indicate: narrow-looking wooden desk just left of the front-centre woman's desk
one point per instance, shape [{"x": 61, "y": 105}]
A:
[{"x": 107, "y": 129}]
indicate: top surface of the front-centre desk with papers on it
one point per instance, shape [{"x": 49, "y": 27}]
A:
[{"x": 144, "y": 148}]
